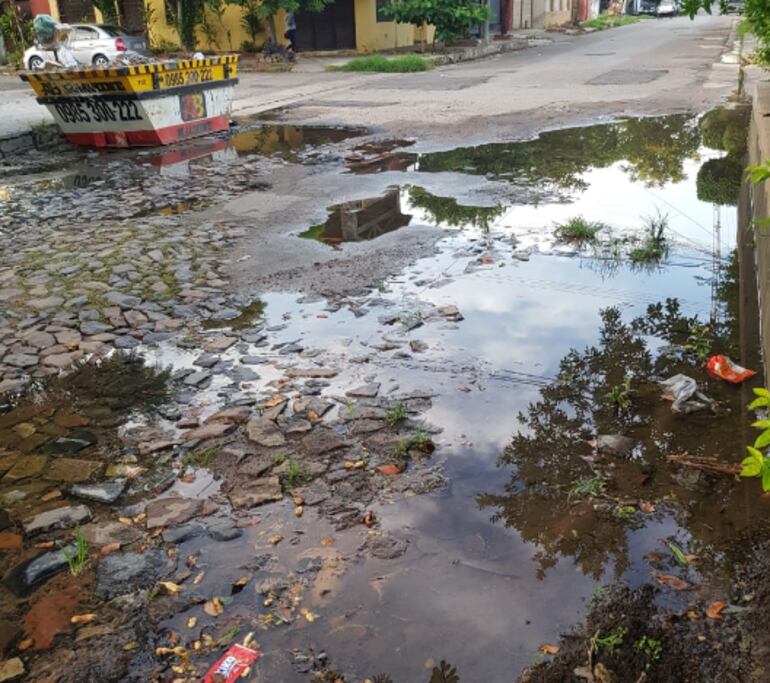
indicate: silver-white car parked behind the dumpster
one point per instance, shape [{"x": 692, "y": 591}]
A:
[{"x": 91, "y": 44}]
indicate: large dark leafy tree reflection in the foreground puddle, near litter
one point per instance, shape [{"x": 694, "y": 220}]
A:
[{"x": 551, "y": 451}]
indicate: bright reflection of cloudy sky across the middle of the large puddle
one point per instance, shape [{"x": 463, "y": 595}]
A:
[{"x": 469, "y": 590}]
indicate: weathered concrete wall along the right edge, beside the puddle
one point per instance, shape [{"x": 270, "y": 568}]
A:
[{"x": 757, "y": 207}]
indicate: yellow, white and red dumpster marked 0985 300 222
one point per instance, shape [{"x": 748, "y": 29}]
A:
[{"x": 139, "y": 105}]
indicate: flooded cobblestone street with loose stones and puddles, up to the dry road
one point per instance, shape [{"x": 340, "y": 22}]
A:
[{"x": 443, "y": 456}]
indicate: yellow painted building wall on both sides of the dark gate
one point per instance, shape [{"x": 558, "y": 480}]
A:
[{"x": 371, "y": 35}]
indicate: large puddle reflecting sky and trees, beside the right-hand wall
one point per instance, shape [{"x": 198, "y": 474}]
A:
[{"x": 558, "y": 339}]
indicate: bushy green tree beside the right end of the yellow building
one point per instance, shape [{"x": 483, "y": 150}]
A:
[{"x": 452, "y": 18}]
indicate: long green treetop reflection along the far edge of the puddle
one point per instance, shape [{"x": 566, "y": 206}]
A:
[{"x": 654, "y": 148}]
